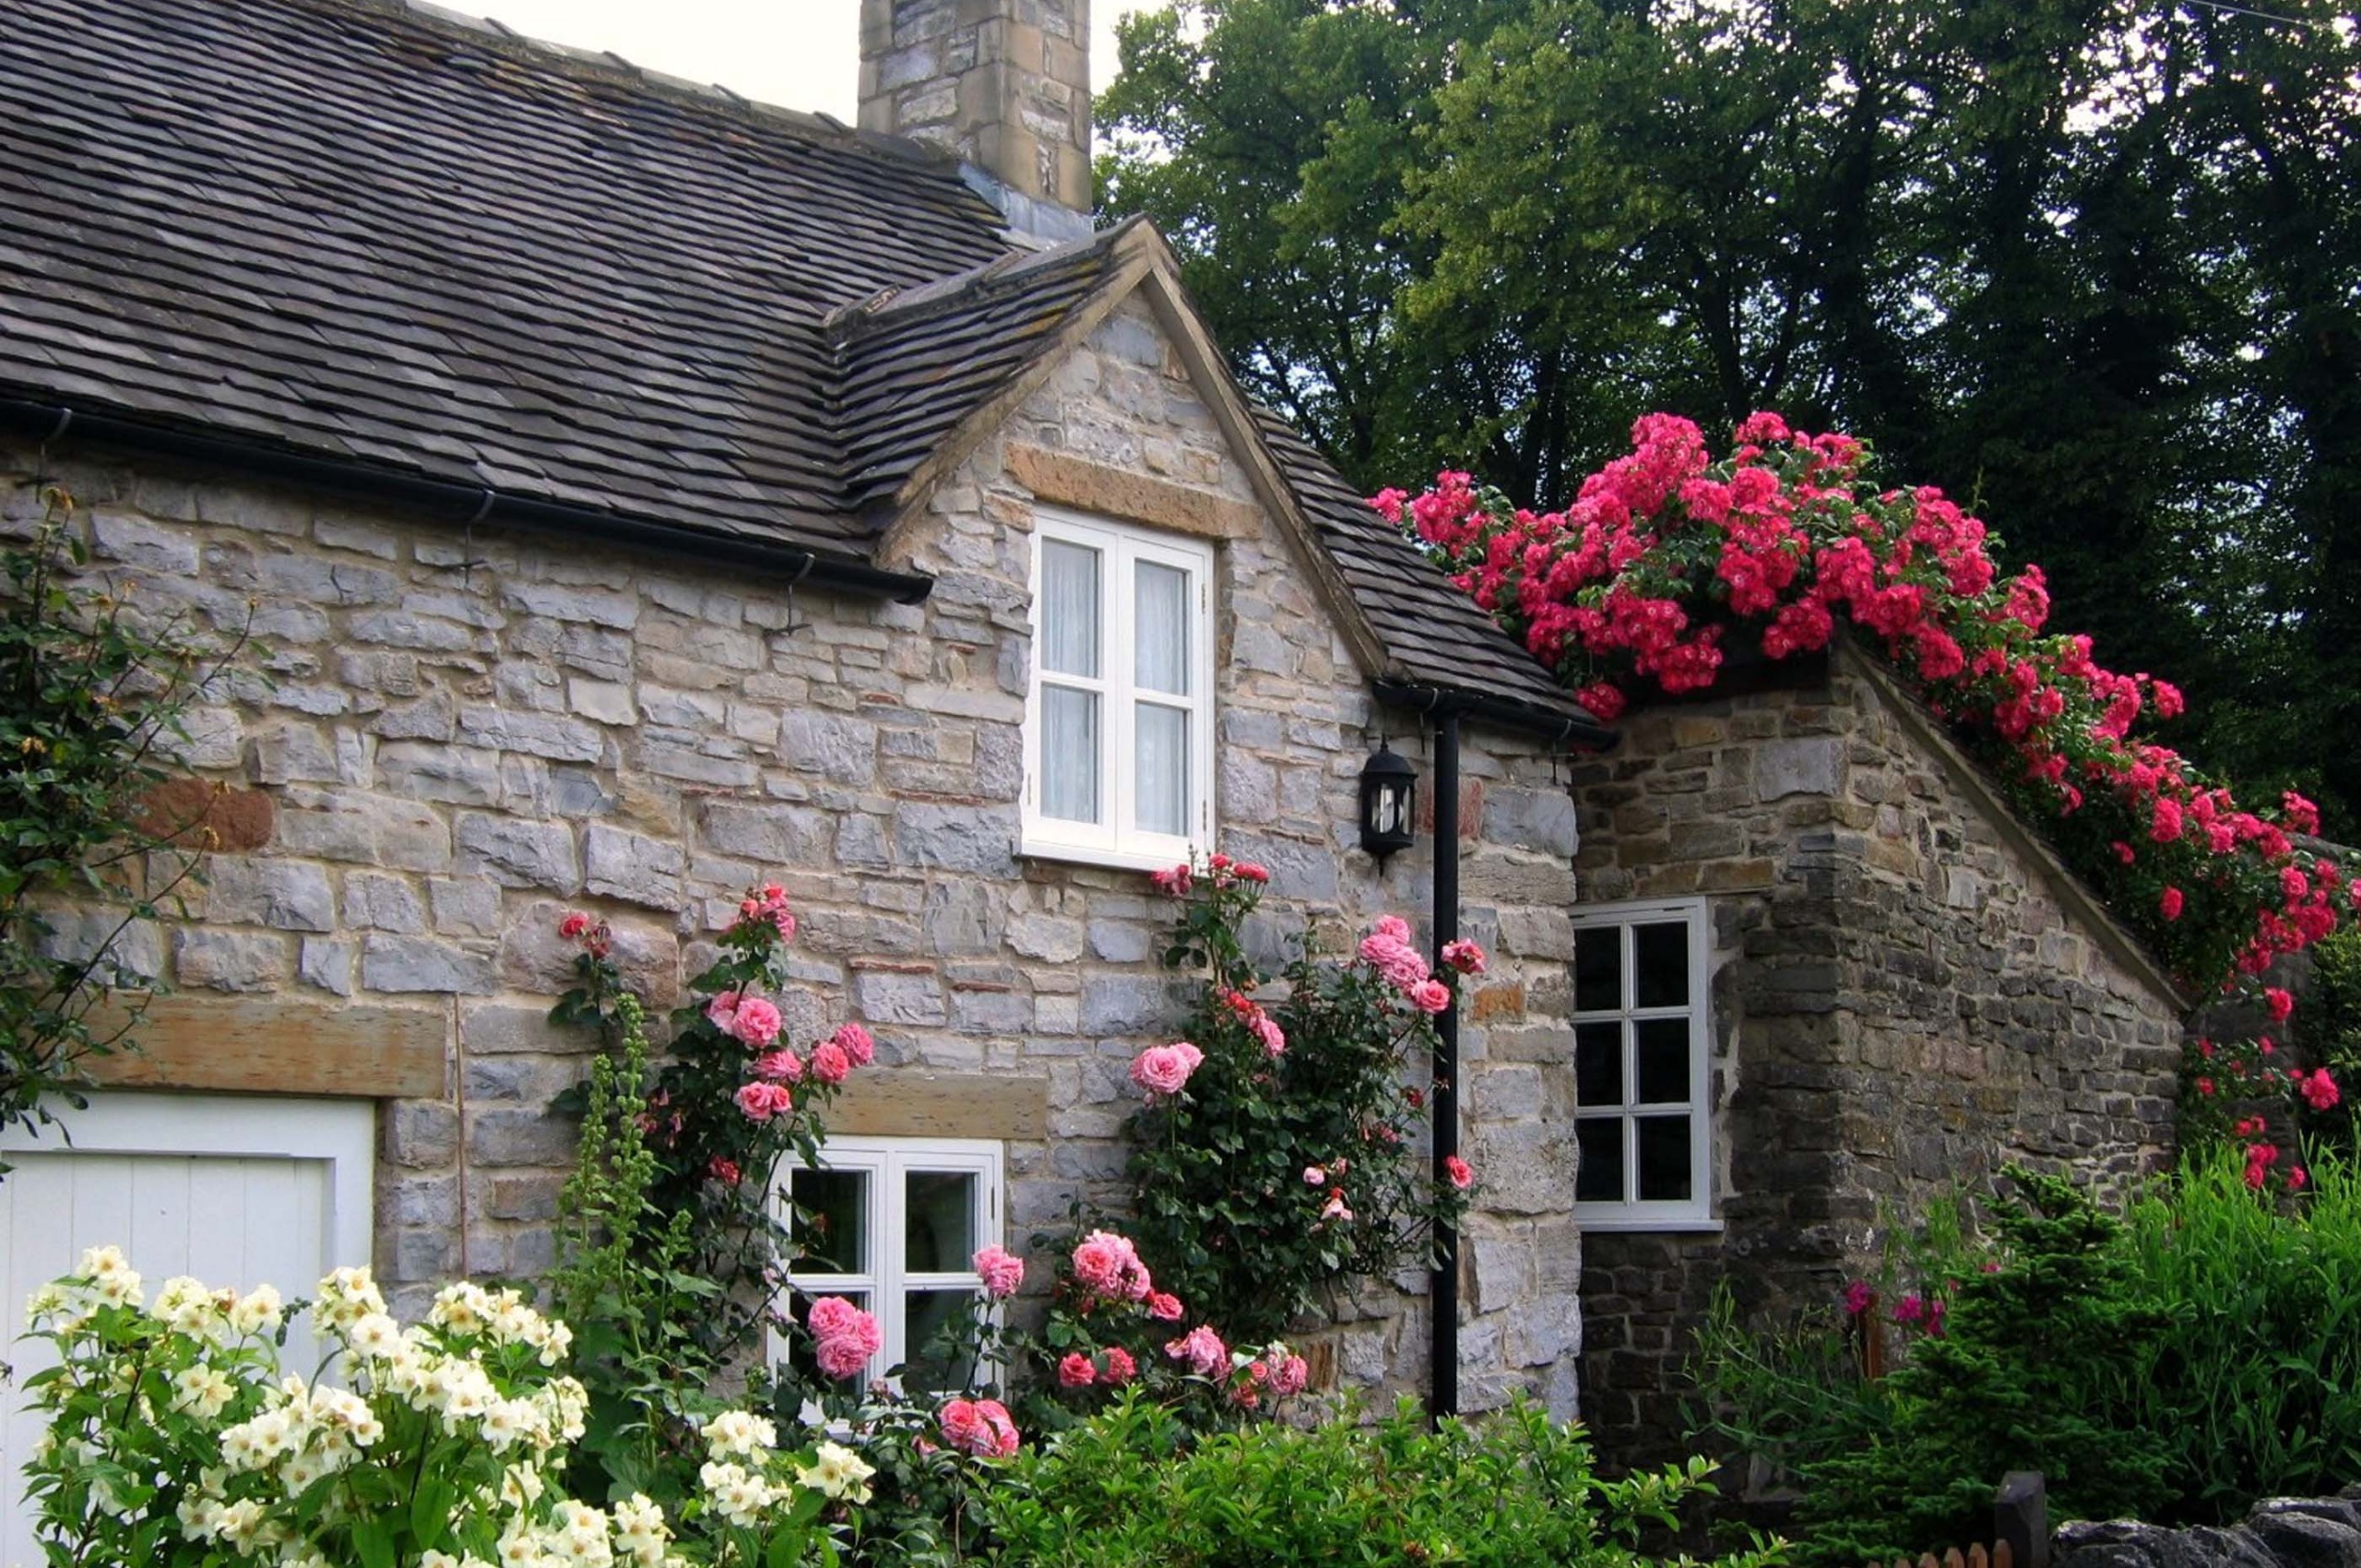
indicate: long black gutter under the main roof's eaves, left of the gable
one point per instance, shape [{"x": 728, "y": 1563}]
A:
[{"x": 466, "y": 504}]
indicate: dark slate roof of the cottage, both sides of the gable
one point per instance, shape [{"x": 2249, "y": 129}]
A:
[{"x": 379, "y": 235}]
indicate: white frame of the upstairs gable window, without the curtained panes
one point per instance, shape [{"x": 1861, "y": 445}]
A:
[{"x": 1118, "y": 839}]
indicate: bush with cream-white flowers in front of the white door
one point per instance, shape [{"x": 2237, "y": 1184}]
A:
[{"x": 176, "y": 1439}]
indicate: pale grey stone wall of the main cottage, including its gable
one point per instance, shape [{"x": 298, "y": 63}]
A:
[{"x": 466, "y": 736}]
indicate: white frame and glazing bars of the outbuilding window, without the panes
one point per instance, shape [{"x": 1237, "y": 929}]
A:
[{"x": 1696, "y": 1213}]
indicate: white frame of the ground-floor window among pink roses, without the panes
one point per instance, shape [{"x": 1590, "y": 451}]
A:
[{"x": 887, "y": 1281}]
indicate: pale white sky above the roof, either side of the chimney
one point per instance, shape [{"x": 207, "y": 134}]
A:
[{"x": 785, "y": 53}]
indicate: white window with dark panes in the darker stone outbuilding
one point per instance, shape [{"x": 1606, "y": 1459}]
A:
[{"x": 1642, "y": 1073}]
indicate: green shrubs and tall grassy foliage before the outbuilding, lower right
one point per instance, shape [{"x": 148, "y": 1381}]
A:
[{"x": 2173, "y": 1366}]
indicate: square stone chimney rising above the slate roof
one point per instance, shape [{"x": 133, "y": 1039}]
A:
[{"x": 1000, "y": 84}]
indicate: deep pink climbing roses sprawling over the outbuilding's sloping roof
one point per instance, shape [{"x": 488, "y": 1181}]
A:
[{"x": 1670, "y": 558}]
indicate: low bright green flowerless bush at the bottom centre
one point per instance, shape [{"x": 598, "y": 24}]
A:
[{"x": 1127, "y": 1489}]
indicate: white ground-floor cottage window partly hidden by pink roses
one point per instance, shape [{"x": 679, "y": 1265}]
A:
[{"x": 894, "y": 1227}]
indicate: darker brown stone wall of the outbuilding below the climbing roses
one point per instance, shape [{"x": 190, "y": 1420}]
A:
[{"x": 1907, "y": 995}]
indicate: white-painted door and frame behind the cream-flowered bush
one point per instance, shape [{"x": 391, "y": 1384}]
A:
[{"x": 228, "y": 1189}]
